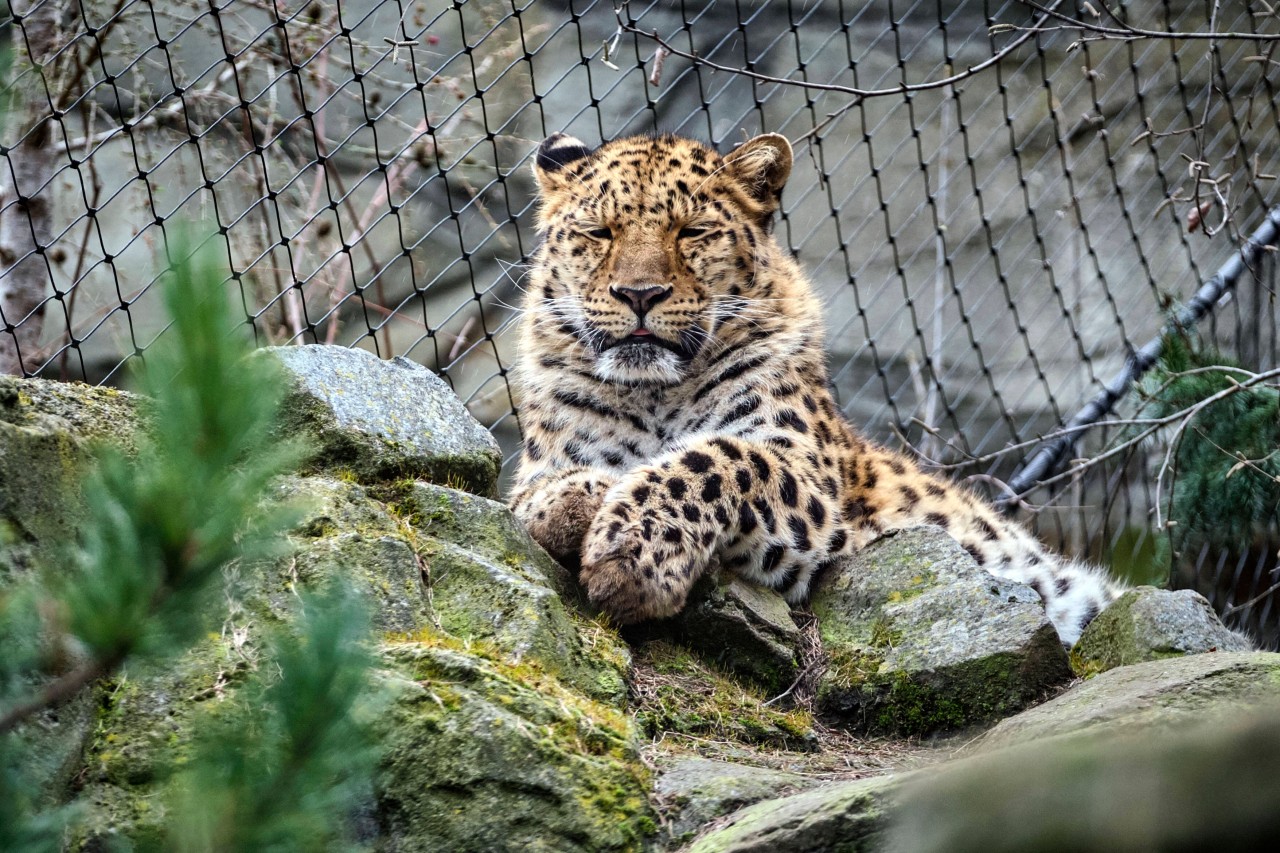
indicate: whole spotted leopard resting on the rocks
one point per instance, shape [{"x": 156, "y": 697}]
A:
[{"x": 676, "y": 405}]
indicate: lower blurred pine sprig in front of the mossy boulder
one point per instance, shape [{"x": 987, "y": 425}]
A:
[{"x": 281, "y": 769}]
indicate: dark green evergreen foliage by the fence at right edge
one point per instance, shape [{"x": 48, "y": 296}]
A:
[{"x": 1227, "y": 460}]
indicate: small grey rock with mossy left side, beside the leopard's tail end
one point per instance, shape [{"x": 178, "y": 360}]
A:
[{"x": 1148, "y": 624}]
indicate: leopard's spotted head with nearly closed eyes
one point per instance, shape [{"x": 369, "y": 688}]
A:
[{"x": 650, "y": 247}]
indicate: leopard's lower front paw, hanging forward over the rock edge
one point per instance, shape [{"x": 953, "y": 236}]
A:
[{"x": 641, "y": 569}]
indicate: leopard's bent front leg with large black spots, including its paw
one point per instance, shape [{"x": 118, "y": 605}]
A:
[{"x": 661, "y": 526}]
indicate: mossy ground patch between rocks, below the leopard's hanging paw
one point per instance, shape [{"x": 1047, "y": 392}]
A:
[{"x": 676, "y": 692}]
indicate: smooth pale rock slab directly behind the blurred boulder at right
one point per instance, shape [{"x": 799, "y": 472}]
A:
[{"x": 1150, "y": 697}]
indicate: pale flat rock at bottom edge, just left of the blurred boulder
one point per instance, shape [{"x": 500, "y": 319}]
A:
[{"x": 847, "y": 816}]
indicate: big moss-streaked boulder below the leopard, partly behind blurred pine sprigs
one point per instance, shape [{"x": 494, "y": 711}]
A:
[{"x": 487, "y": 618}]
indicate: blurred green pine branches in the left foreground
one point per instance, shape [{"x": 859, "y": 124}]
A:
[{"x": 281, "y": 761}]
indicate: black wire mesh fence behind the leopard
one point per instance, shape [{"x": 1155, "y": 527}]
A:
[{"x": 991, "y": 250}]
